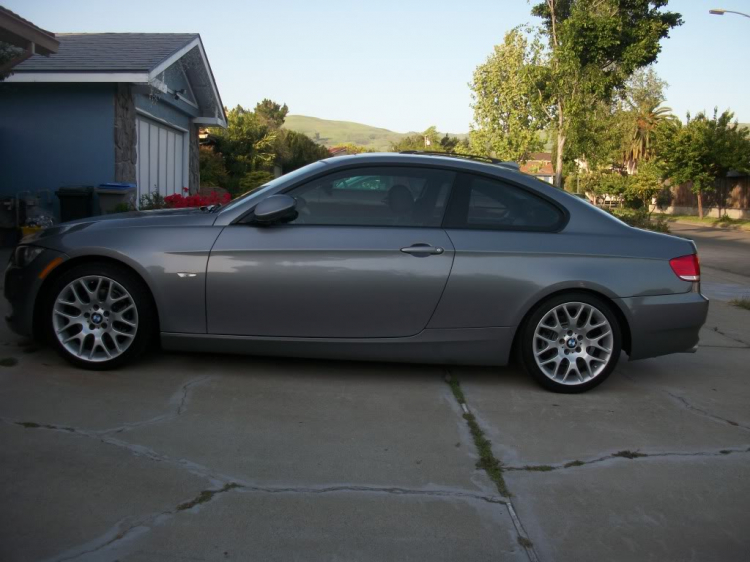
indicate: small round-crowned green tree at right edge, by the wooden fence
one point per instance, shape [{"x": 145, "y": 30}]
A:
[{"x": 703, "y": 150}]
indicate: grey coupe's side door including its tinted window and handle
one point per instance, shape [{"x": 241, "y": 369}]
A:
[{"x": 365, "y": 258}]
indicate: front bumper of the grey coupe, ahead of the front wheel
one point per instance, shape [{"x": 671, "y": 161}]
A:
[{"x": 22, "y": 285}]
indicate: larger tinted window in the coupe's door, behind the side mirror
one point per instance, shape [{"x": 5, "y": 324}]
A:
[{"x": 378, "y": 196}]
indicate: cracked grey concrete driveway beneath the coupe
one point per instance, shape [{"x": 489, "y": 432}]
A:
[{"x": 184, "y": 457}]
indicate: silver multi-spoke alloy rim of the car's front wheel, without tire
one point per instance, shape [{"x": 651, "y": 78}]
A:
[{"x": 95, "y": 318}]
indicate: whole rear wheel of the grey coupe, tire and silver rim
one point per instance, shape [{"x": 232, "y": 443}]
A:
[{"x": 584, "y": 350}]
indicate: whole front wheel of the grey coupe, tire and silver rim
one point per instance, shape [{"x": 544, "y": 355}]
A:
[{"x": 100, "y": 316}]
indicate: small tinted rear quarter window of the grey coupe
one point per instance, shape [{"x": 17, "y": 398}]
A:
[{"x": 492, "y": 204}]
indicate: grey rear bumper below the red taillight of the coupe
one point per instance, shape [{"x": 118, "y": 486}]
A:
[{"x": 664, "y": 324}]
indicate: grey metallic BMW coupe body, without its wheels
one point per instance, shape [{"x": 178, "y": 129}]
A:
[{"x": 395, "y": 257}]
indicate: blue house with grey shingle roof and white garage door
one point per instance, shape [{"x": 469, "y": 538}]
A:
[{"x": 108, "y": 107}]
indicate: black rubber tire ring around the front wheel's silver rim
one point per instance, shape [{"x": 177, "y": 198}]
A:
[{"x": 141, "y": 297}]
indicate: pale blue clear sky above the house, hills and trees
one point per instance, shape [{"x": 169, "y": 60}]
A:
[{"x": 402, "y": 65}]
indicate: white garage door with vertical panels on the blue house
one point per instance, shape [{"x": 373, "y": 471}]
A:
[{"x": 162, "y": 158}]
